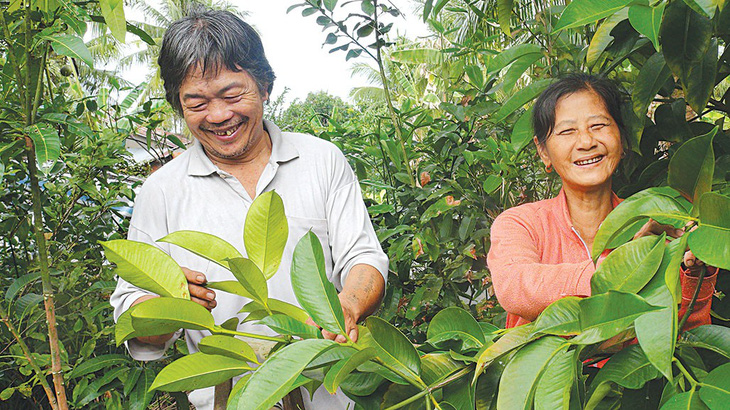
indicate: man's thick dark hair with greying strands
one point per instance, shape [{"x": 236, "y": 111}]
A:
[{"x": 210, "y": 40}]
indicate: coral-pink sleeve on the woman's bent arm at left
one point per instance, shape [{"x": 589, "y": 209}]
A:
[{"x": 524, "y": 286}]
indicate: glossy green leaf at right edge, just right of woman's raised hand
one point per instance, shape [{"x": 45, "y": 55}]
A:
[{"x": 710, "y": 241}]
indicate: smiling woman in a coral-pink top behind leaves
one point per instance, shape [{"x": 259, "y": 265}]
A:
[{"x": 540, "y": 251}]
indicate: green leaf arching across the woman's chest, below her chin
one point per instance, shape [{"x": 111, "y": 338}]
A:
[{"x": 624, "y": 221}]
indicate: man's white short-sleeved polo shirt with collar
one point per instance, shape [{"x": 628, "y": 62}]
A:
[{"x": 319, "y": 190}]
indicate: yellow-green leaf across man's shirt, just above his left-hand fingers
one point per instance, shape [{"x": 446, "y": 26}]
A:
[{"x": 204, "y": 245}]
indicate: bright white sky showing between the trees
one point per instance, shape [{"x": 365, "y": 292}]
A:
[{"x": 293, "y": 45}]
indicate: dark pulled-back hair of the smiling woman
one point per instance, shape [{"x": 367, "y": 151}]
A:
[{"x": 543, "y": 113}]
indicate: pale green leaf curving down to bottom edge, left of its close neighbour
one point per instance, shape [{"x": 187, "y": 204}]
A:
[{"x": 519, "y": 380}]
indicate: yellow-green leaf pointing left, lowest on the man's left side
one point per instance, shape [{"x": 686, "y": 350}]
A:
[{"x": 198, "y": 370}]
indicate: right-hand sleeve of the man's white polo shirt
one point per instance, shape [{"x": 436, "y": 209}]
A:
[{"x": 351, "y": 234}]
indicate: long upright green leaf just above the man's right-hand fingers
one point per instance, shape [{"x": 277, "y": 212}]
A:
[{"x": 313, "y": 290}]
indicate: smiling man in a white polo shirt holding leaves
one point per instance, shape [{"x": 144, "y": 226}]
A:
[{"x": 217, "y": 77}]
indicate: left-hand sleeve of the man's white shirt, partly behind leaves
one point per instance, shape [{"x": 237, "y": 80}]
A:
[{"x": 148, "y": 223}]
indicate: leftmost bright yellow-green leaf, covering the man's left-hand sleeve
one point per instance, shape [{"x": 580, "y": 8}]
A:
[{"x": 147, "y": 267}]
